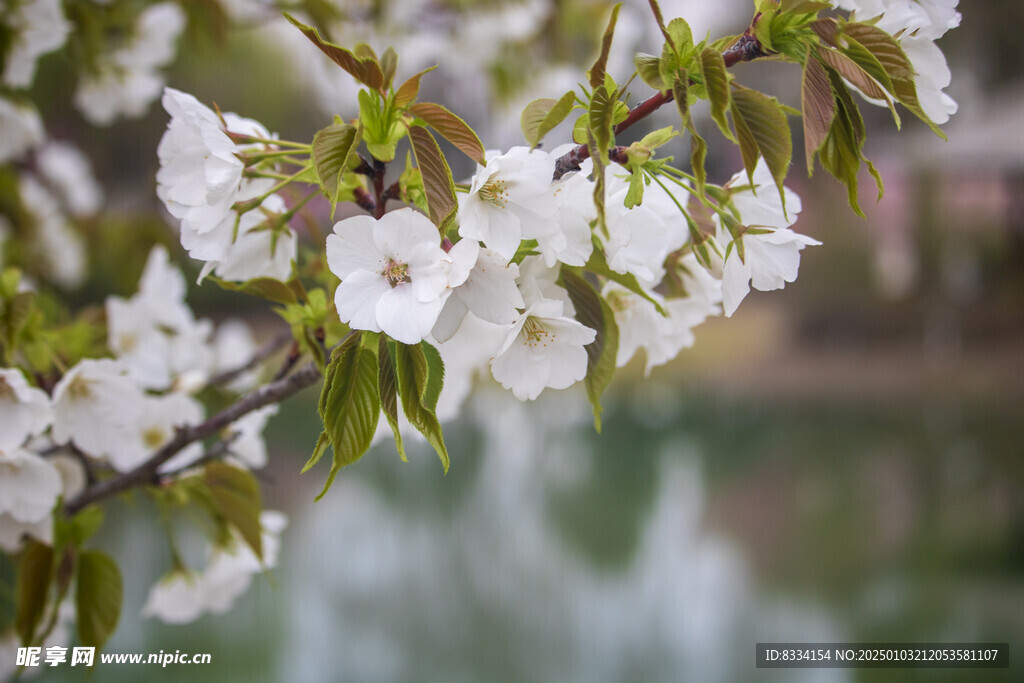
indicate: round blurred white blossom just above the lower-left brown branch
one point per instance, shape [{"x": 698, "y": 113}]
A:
[{"x": 95, "y": 404}]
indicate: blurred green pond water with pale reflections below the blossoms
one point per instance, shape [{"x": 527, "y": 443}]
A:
[{"x": 662, "y": 550}]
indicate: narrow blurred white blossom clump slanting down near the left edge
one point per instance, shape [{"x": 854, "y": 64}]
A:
[{"x": 61, "y": 248}]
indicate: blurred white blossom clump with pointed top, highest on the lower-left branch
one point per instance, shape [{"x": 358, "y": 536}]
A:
[{"x": 155, "y": 333}]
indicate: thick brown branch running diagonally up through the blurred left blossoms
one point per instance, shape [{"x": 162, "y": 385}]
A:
[{"x": 147, "y": 473}]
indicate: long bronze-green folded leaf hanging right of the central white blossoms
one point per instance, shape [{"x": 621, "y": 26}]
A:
[{"x": 593, "y": 312}]
